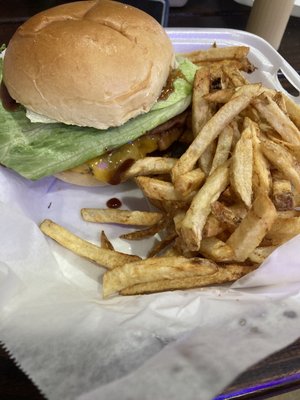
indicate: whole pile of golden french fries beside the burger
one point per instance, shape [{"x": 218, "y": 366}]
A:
[{"x": 225, "y": 204}]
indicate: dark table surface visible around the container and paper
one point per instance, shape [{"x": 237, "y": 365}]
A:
[{"x": 279, "y": 372}]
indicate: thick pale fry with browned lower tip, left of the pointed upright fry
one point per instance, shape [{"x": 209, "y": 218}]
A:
[{"x": 196, "y": 216}]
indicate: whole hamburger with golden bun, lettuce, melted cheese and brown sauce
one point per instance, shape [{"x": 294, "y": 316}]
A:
[{"x": 87, "y": 88}]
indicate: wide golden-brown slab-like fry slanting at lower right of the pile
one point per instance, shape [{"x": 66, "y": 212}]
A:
[{"x": 253, "y": 228}]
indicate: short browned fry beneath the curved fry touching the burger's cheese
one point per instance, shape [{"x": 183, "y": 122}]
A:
[{"x": 160, "y": 190}]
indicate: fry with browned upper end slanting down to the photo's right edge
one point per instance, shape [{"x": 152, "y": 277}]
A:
[{"x": 268, "y": 108}]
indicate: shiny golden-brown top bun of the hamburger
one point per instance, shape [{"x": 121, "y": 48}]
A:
[{"x": 88, "y": 63}]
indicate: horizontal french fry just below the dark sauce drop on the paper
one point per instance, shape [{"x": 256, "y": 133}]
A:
[{"x": 123, "y": 217}]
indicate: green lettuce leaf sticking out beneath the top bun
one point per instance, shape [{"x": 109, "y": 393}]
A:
[{"x": 36, "y": 150}]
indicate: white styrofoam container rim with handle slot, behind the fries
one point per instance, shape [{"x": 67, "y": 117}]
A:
[{"x": 267, "y": 60}]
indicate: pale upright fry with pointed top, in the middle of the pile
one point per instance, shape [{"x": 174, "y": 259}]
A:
[{"x": 242, "y": 167}]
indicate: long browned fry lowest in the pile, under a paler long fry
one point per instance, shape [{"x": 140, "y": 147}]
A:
[{"x": 228, "y": 273}]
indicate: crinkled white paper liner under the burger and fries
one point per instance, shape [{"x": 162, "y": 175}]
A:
[{"x": 174, "y": 344}]
